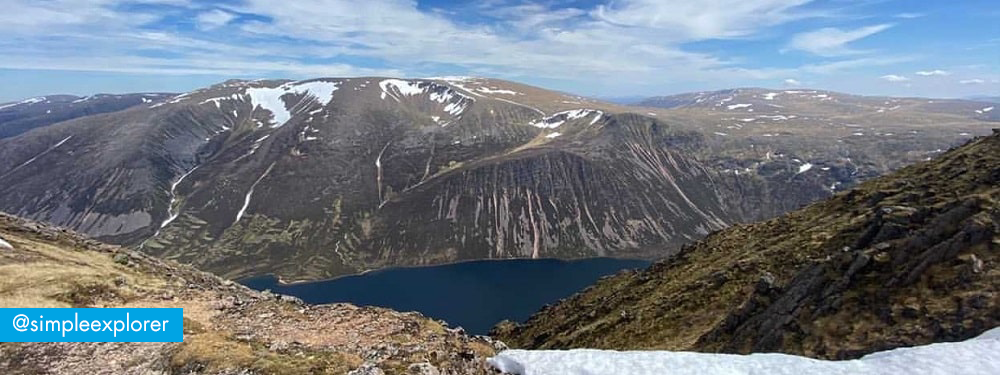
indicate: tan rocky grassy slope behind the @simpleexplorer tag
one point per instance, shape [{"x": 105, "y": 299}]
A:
[{"x": 228, "y": 329}]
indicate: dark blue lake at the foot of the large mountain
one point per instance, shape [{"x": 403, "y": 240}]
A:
[{"x": 474, "y": 295}]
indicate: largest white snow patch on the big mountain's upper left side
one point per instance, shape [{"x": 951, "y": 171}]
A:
[{"x": 270, "y": 99}]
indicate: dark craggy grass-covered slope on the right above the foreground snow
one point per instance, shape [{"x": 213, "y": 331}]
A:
[{"x": 906, "y": 259}]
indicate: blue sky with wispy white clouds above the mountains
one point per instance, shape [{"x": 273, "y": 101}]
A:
[{"x": 597, "y": 48}]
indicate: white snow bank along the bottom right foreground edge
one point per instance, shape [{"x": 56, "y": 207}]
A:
[{"x": 976, "y": 356}]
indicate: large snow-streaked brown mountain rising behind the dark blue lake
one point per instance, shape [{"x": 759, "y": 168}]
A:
[{"x": 325, "y": 177}]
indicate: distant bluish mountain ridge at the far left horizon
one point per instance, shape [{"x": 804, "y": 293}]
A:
[{"x": 19, "y": 117}]
